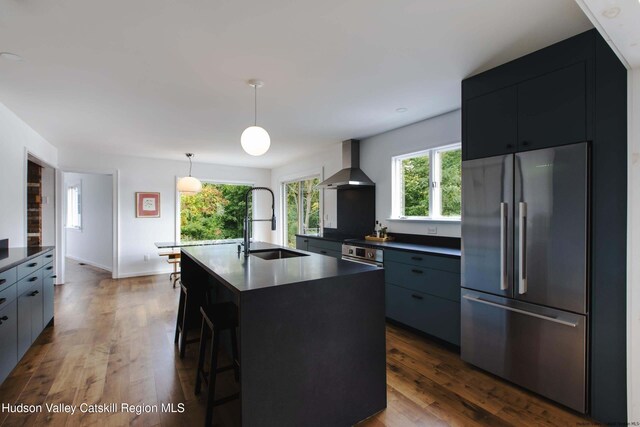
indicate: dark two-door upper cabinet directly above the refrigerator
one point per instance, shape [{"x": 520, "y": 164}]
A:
[{"x": 538, "y": 101}]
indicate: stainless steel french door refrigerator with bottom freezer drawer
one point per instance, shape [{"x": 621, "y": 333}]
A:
[{"x": 524, "y": 269}]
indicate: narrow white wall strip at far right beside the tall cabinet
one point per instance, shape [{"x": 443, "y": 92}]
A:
[{"x": 633, "y": 253}]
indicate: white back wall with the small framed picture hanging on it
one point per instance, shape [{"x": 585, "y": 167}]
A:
[{"x": 136, "y": 236}]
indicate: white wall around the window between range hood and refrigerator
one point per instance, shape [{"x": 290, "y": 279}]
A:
[{"x": 375, "y": 159}]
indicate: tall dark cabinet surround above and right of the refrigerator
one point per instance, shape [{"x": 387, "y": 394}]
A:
[{"x": 573, "y": 91}]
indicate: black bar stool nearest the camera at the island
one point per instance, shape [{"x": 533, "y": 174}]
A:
[{"x": 217, "y": 318}]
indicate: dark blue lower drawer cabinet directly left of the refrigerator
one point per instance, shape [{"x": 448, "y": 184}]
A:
[{"x": 423, "y": 292}]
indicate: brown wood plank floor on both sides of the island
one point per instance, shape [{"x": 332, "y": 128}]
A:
[{"x": 113, "y": 342}]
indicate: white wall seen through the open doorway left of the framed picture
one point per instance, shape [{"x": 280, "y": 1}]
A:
[{"x": 93, "y": 243}]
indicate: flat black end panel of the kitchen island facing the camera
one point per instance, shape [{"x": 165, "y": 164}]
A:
[{"x": 313, "y": 353}]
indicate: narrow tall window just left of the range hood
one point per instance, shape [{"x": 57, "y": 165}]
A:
[{"x": 302, "y": 207}]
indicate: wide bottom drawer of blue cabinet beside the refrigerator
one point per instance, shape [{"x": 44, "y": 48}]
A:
[{"x": 436, "y": 316}]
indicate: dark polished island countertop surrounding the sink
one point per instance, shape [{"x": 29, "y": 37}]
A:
[{"x": 242, "y": 274}]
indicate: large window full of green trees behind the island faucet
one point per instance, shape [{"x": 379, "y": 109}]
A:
[{"x": 216, "y": 213}]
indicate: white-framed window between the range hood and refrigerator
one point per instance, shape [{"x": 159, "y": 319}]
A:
[{"x": 427, "y": 184}]
